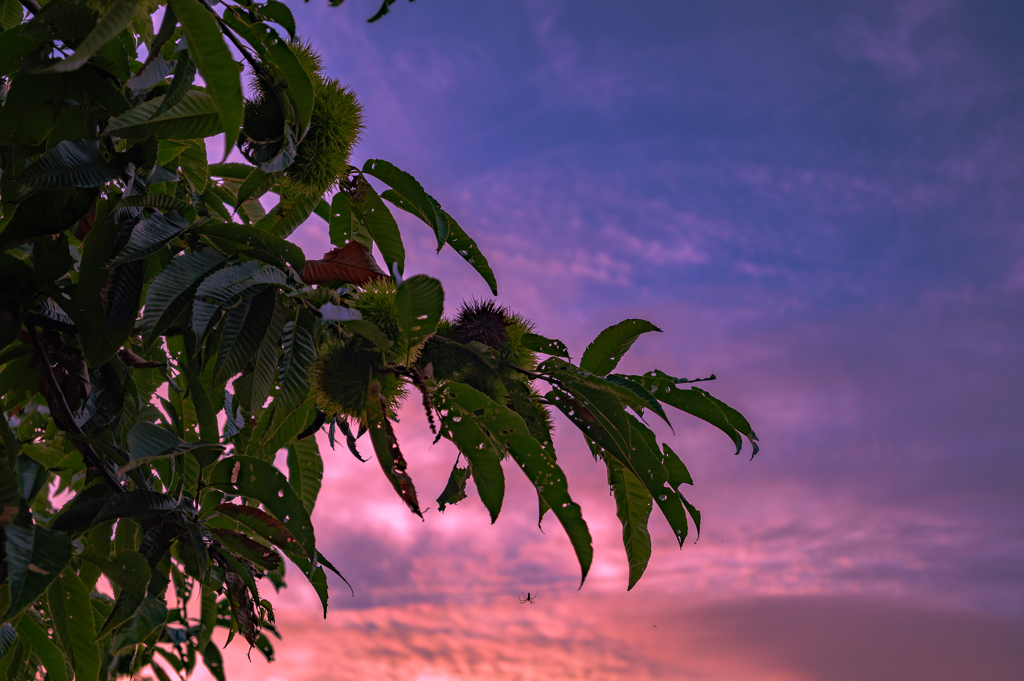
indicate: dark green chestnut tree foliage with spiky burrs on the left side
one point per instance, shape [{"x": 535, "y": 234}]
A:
[{"x": 162, "y": 340}]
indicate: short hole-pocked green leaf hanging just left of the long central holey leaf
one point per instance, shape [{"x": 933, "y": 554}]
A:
[{"x": 480, "y": 450}]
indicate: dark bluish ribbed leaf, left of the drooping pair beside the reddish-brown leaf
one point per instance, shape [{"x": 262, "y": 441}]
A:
[{"x": 172, "y": 290}]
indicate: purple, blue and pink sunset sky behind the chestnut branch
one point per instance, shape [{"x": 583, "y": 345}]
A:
[{"x": 820, "y": 203}]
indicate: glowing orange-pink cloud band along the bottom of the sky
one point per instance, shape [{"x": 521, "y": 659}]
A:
[{"x": 575, "y": 636}]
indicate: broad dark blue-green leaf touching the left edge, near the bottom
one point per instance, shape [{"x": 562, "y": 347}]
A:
[{"x": 35, "y": 558}]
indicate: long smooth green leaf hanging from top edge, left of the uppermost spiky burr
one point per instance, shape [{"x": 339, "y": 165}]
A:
[{"x": 216, "y": 64}]
